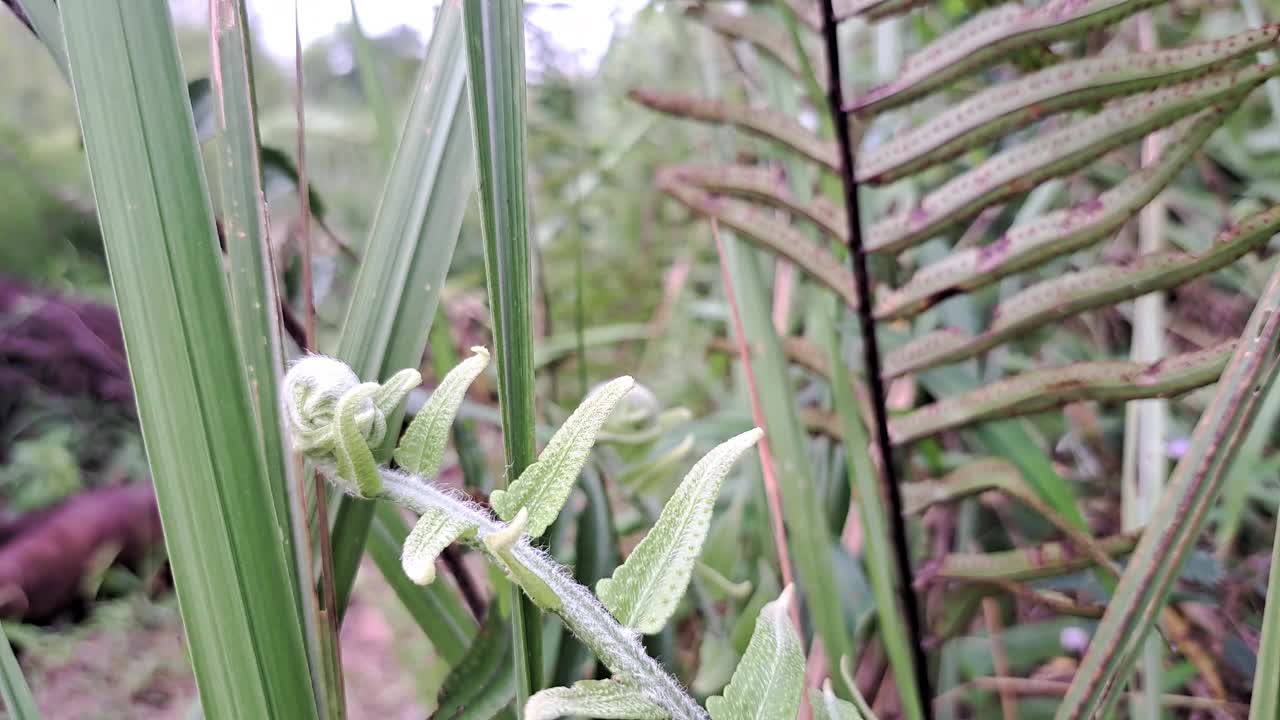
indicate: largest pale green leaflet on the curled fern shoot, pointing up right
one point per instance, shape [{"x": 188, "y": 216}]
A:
[{"x": 644, "y": 591}]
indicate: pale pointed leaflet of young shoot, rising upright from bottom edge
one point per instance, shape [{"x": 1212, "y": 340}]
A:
[{"x": 769, "y": 682}]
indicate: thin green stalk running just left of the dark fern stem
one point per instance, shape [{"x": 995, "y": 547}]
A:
[{"x": 884, "y": 580}]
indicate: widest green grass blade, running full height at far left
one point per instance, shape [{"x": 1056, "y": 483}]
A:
[{"x": 194, "y": 402}]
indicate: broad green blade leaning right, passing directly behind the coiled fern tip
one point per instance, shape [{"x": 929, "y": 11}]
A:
[{"x": 410, "y": 247}]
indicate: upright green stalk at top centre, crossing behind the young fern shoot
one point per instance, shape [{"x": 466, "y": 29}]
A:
[{"x": 496, "y": 60}]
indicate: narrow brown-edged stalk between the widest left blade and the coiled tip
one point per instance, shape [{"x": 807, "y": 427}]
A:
[{"x": 255, "y": 302}]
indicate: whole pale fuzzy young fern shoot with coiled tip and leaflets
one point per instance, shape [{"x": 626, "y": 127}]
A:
[{"x": 336, "y": 421}]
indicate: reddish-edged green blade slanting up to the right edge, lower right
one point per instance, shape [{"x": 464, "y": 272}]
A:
[{"x": 1194, "y": 487}]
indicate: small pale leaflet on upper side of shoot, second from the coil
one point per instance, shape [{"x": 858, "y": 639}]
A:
[{"x": 423, "y": 446}]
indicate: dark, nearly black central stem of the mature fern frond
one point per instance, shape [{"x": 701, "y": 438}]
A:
[{"x": 871, "y": 354}]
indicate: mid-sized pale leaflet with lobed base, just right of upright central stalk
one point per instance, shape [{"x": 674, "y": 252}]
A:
[{"x": 545, "y": 486}]
